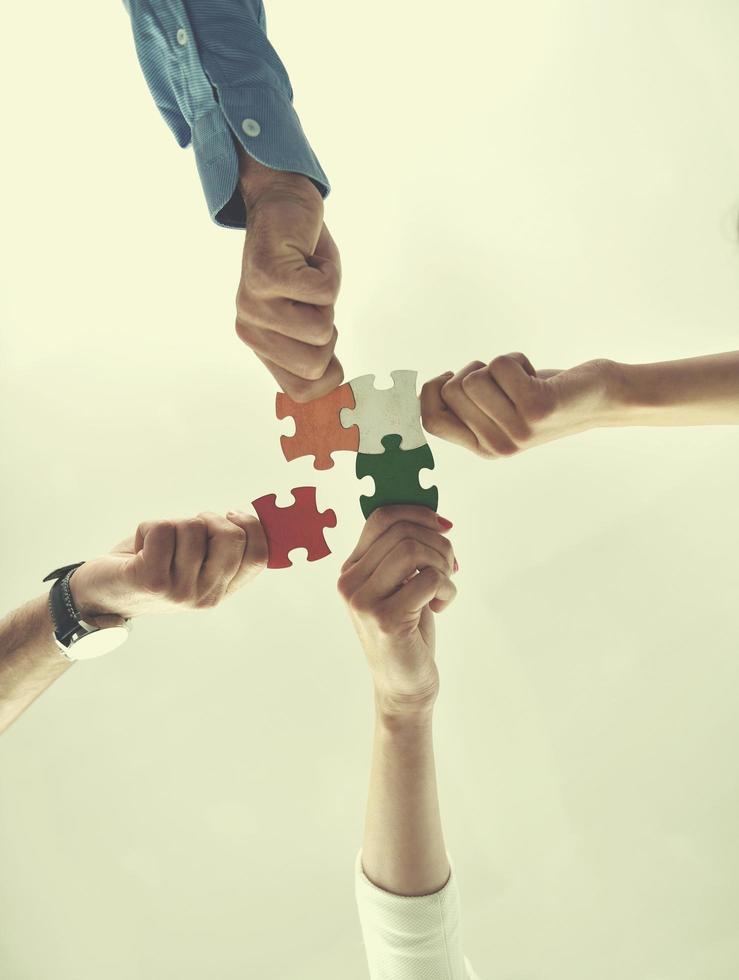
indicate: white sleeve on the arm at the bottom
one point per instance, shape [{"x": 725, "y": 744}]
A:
[{"x": 418, "y": 931}]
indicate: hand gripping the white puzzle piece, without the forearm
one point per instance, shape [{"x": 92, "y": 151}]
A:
[{"x": 506, "y": 406}]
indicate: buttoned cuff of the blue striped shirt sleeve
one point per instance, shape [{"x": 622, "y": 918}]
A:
[{"x": 278, "y": 142}]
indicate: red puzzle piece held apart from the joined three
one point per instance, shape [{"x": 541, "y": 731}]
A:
[{"x": 301, "y": 525}]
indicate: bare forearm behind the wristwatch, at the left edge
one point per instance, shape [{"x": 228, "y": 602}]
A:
[{"x": 29, "y": 659}]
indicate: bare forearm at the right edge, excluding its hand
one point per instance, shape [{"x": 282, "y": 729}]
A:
[{"x": 693, "y": 391}]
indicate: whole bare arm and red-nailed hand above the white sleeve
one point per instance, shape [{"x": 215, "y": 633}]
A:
[{"x": 395, "y": 581}]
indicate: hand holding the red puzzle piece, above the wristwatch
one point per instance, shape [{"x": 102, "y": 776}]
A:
[{"x": 171, "y": 565}]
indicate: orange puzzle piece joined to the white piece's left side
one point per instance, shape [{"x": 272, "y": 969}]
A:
[{"x": 318, "y": 428}]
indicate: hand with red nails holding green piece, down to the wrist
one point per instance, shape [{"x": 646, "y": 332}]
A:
[{"x": 398, "y": 575}]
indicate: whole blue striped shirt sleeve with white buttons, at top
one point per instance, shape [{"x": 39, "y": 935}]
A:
[{"x": 215, "y": 78}]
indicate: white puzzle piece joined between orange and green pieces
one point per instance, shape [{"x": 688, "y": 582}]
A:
[{"x": 384, "y": 410}]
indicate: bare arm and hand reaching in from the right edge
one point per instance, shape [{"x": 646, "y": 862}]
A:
[{"x": 501, "y": 408}]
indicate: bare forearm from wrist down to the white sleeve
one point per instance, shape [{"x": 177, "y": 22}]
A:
[{"x": 403, "y": 850}]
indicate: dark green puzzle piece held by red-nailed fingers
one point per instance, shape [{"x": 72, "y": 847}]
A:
[{"x": 395, "y": 473}]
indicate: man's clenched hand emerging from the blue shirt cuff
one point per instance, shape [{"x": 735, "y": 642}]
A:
[{"x": 290, "y": 278}]
